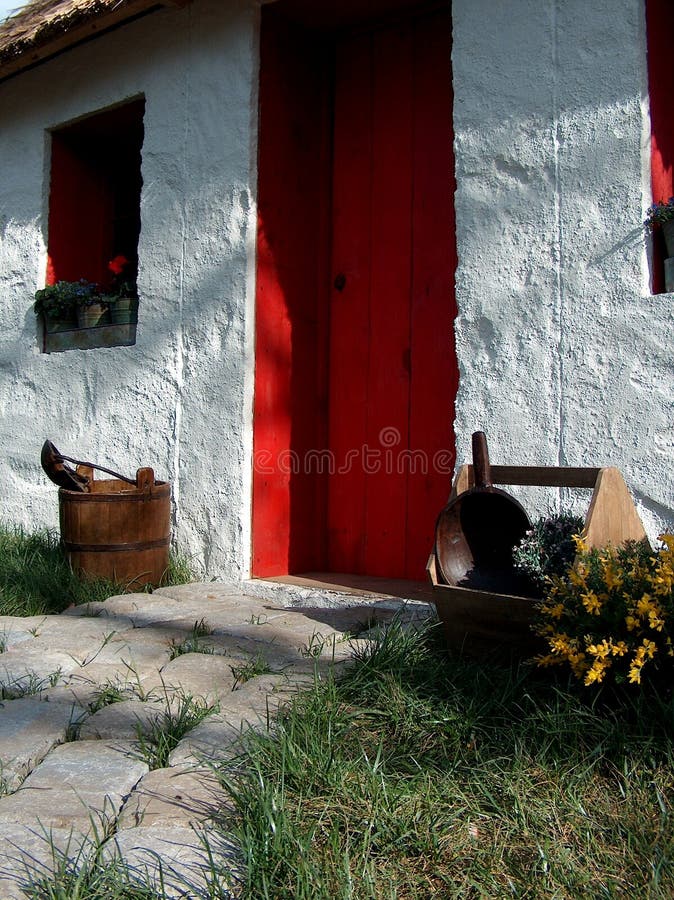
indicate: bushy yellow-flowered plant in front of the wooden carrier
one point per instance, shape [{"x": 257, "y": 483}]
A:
[{"x": 613, "y": 612}]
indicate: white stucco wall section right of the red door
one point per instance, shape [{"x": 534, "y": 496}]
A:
[{"x": 565, "y": 358}]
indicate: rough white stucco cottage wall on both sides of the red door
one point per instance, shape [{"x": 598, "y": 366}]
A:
[{"x": 565, "y": 357}]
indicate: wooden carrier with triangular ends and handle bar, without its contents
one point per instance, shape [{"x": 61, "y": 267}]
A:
[{"x": 478, "y": 622}]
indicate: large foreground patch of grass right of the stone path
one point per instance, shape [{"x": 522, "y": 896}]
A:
[{"x": 419, "y": 775}]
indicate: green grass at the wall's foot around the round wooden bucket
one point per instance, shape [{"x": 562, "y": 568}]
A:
[{"x": 36, "y": 578}]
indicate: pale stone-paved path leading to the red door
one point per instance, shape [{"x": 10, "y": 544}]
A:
[{"x": 86, "y": 695}]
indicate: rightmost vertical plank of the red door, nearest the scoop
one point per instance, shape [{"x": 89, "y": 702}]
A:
[{"x": 434, "y": 367}]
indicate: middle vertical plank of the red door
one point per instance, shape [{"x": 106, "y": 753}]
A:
[{"x": 389, "y": 374}]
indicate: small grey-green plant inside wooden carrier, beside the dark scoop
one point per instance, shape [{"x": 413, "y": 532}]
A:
[{"x": 548, "y": 548}]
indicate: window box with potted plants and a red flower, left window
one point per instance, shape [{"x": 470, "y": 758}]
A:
[{"x": 83, "y": 314}]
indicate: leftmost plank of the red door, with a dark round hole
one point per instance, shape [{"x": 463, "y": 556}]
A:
[{"x": 349, "y": 312}]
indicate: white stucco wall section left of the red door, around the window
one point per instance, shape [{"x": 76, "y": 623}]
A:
[{"x": 180, "y": 399}]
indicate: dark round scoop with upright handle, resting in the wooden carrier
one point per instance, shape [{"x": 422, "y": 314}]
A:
[{"x": 476, "y": 532}]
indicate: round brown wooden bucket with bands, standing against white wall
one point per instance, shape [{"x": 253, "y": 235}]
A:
[{"x": 117, "y": 530}]
